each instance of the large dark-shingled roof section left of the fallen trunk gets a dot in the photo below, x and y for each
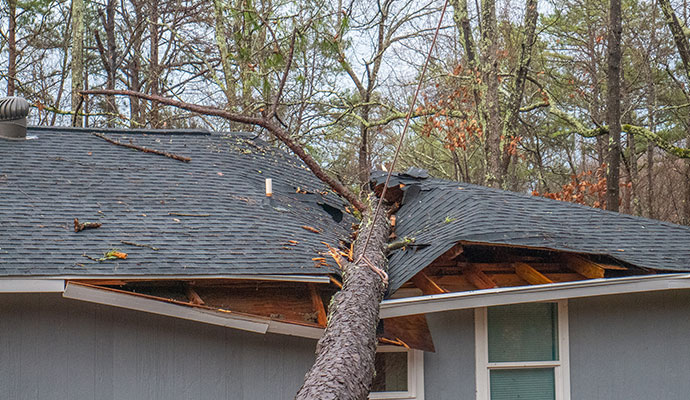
(207, 217)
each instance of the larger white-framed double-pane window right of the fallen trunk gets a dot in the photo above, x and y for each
(522, 352)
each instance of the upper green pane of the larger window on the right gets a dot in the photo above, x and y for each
(523, 332)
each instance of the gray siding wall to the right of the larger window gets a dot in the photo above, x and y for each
(631, 347)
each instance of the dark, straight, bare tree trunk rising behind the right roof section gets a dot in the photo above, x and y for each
(613, 106)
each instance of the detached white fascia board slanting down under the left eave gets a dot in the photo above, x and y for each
(133, 302)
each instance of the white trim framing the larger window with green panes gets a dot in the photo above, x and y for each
(561, 367)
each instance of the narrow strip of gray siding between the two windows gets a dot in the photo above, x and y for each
(449, 372)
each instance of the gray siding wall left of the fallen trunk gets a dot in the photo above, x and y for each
(54, 348)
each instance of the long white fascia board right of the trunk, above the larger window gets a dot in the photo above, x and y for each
(527, 294)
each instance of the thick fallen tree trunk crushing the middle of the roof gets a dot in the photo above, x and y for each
(344, 367)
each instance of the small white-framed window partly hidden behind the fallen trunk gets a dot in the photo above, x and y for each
(399, 374)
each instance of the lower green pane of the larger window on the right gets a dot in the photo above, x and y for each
(523, 384)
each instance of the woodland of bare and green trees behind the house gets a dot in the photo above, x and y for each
(519, 93)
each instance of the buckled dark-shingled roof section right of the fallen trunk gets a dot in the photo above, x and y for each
(439, 213)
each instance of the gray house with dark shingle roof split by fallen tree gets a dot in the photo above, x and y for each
(188, 264)
